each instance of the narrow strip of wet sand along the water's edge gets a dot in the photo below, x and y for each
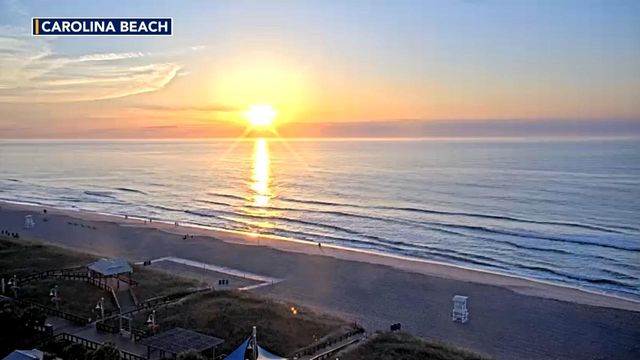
(518, 284)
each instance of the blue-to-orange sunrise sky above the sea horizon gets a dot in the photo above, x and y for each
(330, 68)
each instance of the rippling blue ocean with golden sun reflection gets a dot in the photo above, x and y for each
(565, 211)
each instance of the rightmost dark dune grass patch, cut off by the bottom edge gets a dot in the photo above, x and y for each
(400, 345)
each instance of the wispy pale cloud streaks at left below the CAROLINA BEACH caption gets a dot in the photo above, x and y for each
(31, 71)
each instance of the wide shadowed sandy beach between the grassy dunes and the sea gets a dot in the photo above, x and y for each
(511, 318)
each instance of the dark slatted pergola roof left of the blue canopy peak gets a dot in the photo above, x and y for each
(178, 340)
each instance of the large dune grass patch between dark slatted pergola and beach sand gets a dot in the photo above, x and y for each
(230, 315)
